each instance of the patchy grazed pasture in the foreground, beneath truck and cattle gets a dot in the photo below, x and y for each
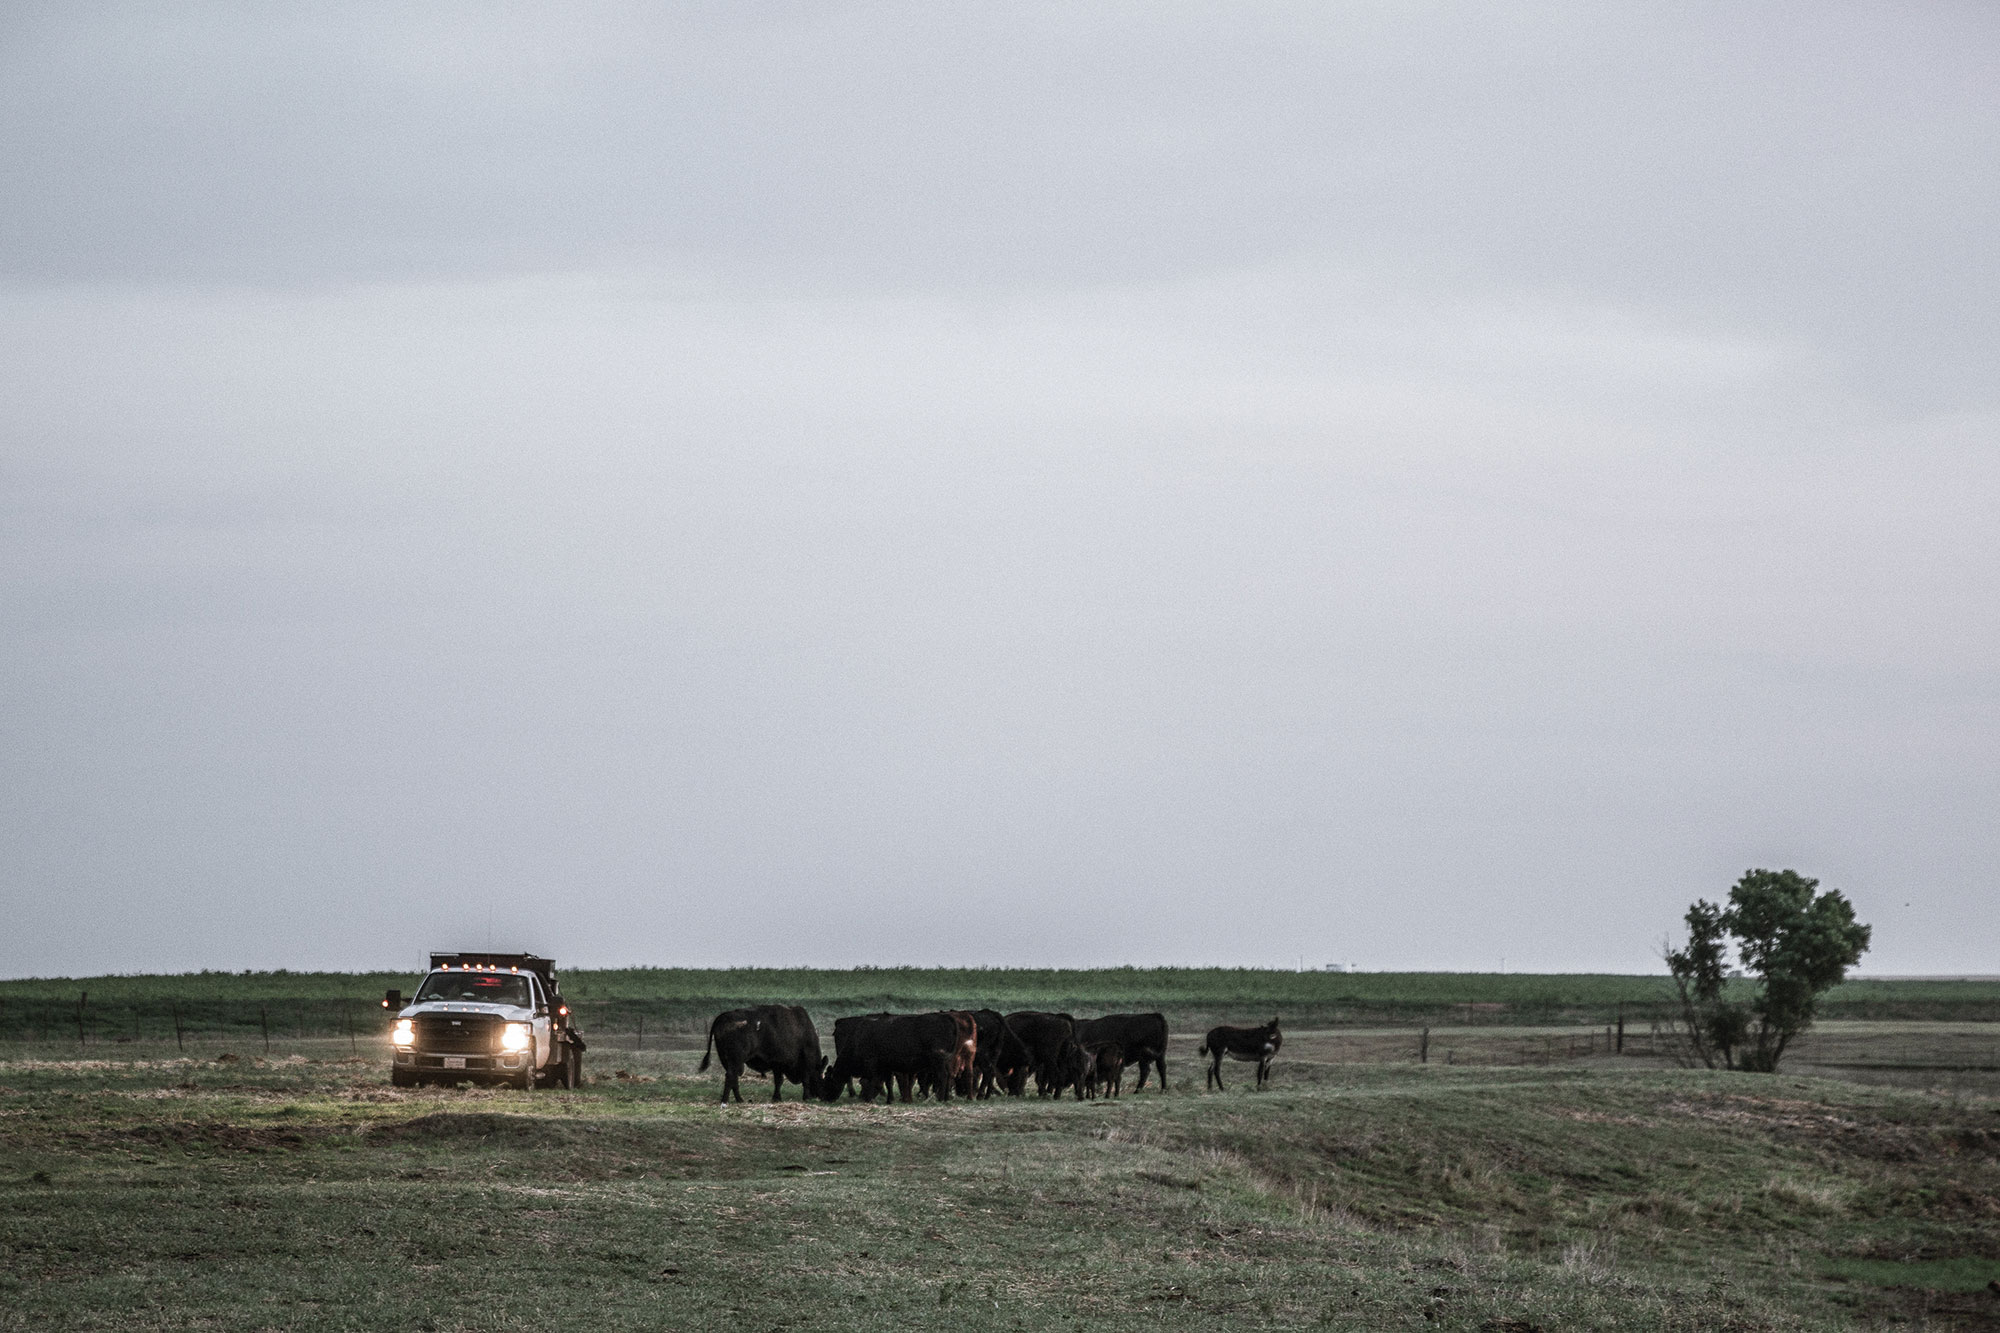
(1365, 1192)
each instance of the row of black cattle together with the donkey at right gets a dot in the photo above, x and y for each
(965, 1052)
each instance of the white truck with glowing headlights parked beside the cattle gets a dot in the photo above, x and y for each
(489, 1018)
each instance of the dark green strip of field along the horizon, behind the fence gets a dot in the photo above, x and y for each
(683, 1000)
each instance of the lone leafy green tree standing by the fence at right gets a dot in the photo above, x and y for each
(1793, 942)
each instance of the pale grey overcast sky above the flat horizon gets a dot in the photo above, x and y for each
(1411, 485)
